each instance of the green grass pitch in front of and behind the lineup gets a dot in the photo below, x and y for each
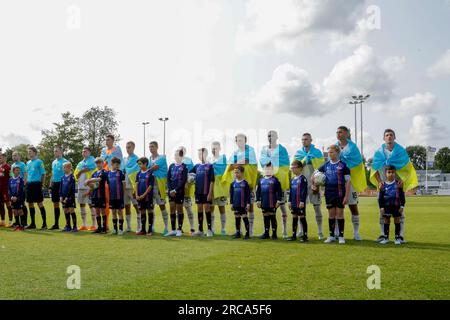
(34, 263)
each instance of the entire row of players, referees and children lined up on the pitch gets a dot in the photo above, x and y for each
(112, 182)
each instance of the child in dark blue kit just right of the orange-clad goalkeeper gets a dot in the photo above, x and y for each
(116, 183)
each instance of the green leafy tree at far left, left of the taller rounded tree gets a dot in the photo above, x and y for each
(67, 135)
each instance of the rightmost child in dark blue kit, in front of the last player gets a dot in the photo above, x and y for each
(391, 200)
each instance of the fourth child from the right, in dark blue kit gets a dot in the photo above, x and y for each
(268, 197)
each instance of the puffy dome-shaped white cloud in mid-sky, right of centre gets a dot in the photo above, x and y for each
(289, 91)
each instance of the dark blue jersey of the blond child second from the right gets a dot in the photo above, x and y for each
(337, 175)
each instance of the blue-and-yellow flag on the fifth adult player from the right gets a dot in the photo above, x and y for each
(247, 158)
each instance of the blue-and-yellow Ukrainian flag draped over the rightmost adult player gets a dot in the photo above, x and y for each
(400, 160)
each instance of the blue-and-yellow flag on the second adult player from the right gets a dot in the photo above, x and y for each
(351, 156)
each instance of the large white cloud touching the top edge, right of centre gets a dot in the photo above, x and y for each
(280, 23)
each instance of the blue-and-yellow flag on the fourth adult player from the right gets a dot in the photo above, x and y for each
(279, 158)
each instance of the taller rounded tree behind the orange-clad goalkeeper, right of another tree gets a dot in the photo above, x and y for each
(95, 124)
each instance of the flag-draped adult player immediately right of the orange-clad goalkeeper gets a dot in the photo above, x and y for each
(131, 169)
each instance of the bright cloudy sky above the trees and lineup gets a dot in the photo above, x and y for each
(218, 67)
